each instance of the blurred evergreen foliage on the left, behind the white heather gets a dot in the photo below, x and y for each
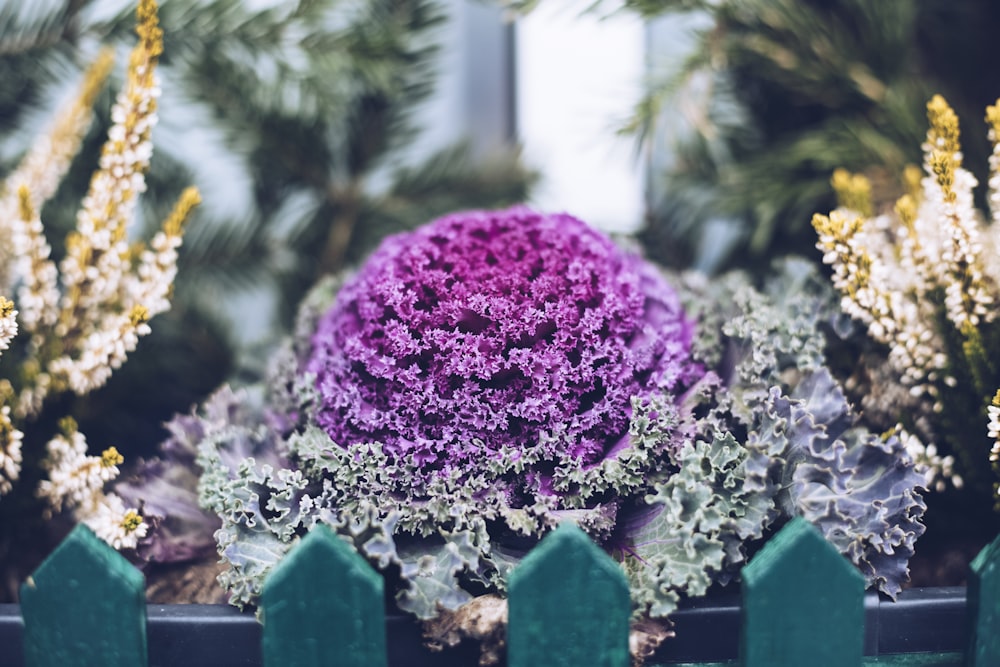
(293, 118)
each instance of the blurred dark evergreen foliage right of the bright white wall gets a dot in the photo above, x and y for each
(746, 128)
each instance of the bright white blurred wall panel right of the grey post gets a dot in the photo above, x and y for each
(578, 77)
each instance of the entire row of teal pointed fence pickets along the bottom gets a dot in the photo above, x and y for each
(803, 604)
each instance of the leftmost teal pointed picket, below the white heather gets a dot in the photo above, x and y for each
(84, 605)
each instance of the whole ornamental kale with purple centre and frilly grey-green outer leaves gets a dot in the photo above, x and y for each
(492, 374)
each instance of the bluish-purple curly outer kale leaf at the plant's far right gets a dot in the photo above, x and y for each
(860, 490)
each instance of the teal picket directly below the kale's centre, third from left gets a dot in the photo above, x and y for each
(568, 605)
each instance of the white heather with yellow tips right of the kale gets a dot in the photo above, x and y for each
(924, 280)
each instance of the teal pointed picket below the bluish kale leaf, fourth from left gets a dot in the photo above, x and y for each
(803, 603)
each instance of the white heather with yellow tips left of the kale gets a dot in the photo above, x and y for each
(78, 319)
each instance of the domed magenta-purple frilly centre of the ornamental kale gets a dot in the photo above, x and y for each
(486, 330)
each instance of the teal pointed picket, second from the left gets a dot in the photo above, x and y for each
(323, 605)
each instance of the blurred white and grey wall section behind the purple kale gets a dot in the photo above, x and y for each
(560, 81)
